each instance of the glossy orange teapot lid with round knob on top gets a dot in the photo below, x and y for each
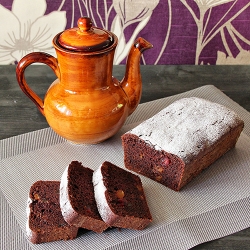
(85, 37)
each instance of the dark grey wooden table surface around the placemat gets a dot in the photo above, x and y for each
(19, 115)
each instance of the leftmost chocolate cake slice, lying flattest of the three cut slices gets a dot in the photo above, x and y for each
(45, 222)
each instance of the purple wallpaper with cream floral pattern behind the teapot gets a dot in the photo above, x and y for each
(182, 31)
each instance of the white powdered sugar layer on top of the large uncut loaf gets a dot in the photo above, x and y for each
(187, 126)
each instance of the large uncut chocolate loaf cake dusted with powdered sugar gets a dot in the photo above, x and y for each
(180, 141)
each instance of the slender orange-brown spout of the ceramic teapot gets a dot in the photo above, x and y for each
(132, 83)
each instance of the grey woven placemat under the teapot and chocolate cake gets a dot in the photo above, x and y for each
(213, 205)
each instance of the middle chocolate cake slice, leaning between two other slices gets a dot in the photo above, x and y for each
(77, 199)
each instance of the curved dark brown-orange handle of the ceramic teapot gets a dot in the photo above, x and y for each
(34, 57)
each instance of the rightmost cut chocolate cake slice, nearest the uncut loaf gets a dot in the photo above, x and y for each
(120, 197)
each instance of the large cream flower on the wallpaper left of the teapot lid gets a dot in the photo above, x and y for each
(24, 31)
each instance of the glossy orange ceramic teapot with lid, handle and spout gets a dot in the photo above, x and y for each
(85, 104)
